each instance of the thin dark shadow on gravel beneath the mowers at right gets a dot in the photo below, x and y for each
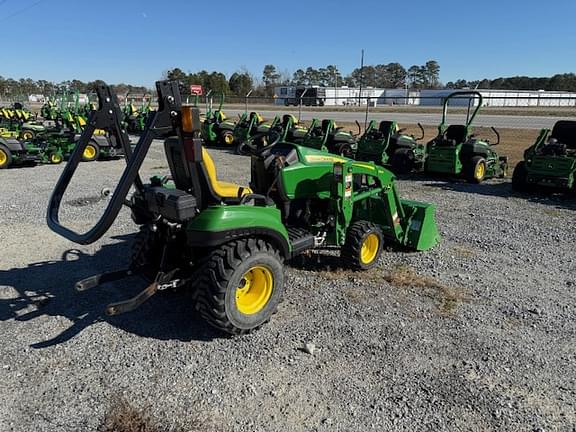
(504, 190)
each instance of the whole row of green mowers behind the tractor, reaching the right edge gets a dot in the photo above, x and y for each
(549, 164)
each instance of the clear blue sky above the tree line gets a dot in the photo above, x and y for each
(135, 41)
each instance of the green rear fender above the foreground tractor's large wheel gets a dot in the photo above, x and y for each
(220, 224)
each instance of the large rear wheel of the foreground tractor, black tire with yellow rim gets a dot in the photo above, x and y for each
(240, 285)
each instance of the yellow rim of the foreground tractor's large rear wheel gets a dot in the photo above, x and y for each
(255, 290)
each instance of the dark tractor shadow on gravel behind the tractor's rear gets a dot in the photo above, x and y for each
(47, 288)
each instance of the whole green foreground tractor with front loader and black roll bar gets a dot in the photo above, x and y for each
(227, 243)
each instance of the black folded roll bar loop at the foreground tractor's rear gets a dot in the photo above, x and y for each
(108, 116)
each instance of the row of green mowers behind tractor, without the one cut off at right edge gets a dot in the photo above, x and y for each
(454, 151)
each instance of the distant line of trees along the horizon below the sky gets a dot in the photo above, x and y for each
(390, 75)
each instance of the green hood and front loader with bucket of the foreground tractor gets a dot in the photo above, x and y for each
(315, 176)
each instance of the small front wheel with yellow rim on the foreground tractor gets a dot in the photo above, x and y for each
(363, 246)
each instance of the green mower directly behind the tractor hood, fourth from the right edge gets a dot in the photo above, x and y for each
(325, 135)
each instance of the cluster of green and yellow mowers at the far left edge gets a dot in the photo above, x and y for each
(50, 138)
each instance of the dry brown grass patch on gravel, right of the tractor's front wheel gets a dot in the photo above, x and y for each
(447, 298)
